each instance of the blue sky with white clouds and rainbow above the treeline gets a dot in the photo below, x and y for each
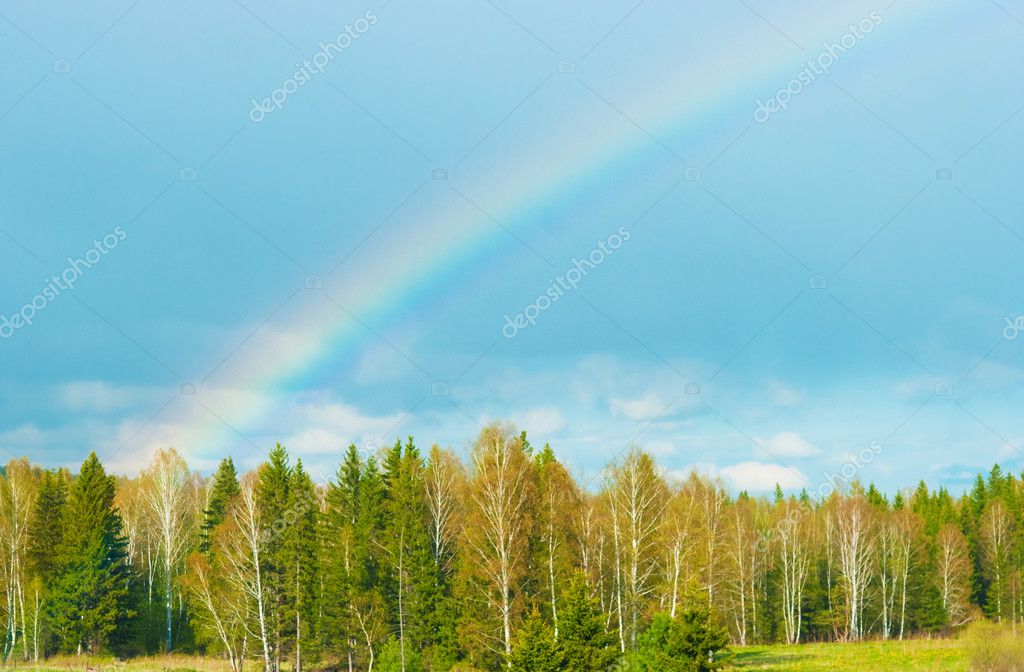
(774, 242)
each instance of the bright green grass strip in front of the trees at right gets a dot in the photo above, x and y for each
(917, 656)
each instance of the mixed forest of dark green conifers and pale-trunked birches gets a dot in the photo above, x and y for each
(413, 560)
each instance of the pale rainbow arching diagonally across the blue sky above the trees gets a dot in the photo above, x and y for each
(566, 158)
